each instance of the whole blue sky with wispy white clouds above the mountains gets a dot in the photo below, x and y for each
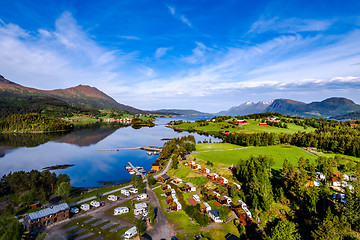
(204, 55)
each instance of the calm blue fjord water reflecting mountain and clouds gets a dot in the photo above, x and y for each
(81, 148)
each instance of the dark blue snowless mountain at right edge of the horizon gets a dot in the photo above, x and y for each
(326, 108)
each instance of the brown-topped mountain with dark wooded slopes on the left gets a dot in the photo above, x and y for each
(15, 98)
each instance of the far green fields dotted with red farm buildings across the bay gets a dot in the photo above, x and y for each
(252, 127)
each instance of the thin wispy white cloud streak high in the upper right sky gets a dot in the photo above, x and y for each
(291, 25)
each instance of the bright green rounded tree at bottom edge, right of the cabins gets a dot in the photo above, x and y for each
(284, 230)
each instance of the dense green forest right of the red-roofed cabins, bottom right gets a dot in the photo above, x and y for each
(313, 214)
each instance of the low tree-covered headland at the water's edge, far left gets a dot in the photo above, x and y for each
(33, 123)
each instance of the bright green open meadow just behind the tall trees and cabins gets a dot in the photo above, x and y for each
(278, 152)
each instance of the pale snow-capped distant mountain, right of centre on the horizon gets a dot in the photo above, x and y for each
(246, 109)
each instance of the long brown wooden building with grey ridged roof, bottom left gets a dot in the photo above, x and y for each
(46, 217)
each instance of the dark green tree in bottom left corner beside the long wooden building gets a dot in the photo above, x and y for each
(10, 228)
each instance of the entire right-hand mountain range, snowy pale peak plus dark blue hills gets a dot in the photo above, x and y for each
(334, 107)
